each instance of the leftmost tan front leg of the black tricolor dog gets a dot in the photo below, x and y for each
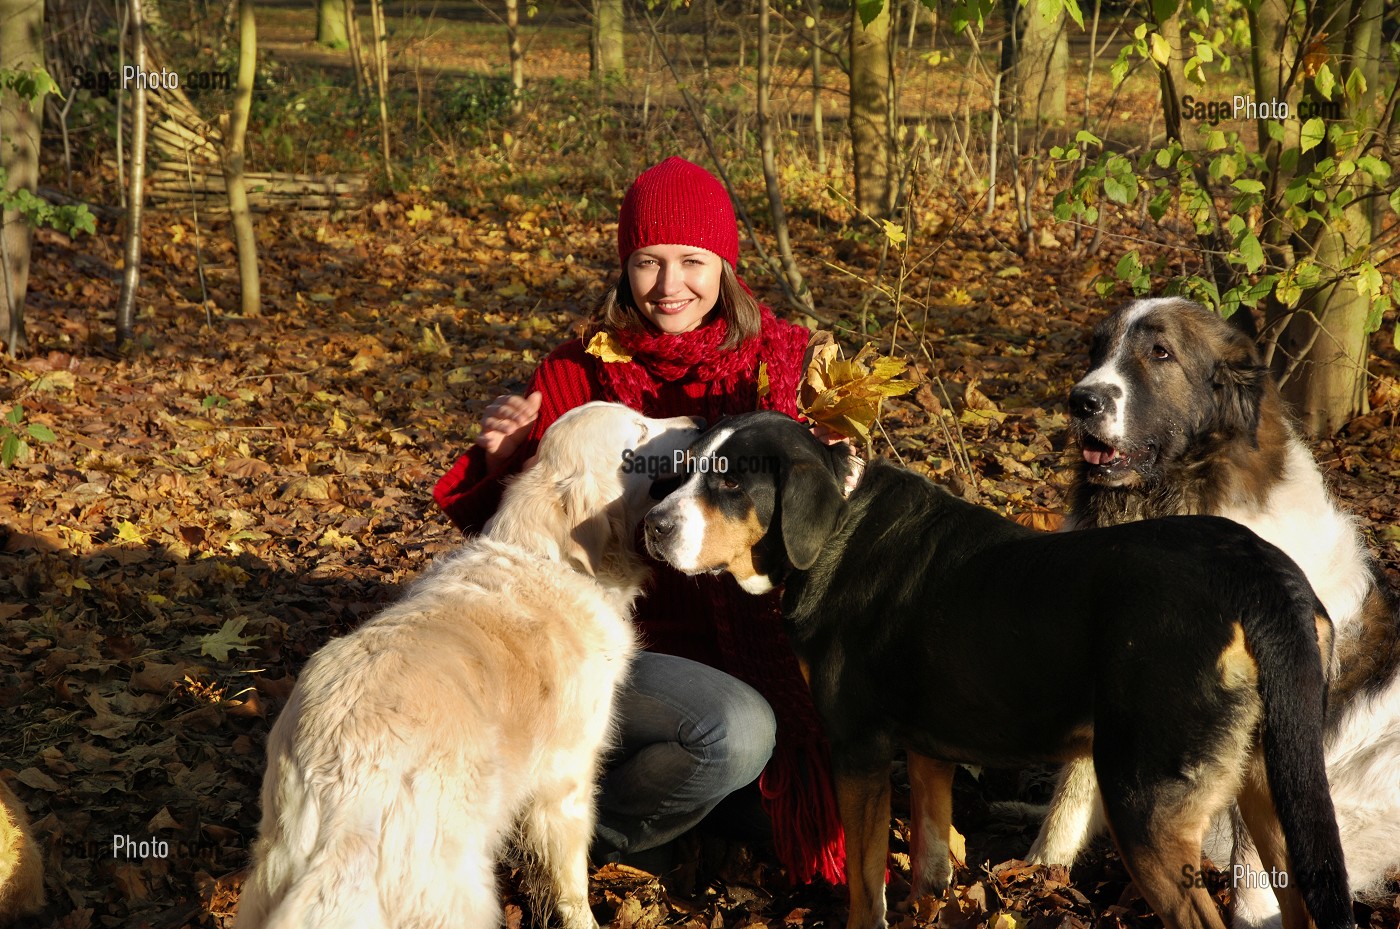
(864, 805)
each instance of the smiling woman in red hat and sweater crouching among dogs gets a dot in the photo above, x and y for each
(717, 697)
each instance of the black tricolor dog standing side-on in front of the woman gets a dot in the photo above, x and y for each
(1188, 655)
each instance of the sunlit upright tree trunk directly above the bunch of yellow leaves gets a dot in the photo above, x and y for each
(871, 134)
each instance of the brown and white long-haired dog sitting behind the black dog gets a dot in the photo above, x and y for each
(1178, 416)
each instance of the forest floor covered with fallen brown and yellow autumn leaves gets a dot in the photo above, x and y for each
(222, 502)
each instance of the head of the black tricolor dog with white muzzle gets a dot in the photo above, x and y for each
(758, 496)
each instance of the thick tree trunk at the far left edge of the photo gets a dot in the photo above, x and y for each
(22, 48)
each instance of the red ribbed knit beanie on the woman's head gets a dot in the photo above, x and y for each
(678, 204)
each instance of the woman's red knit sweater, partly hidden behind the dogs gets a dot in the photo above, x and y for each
(706, 619)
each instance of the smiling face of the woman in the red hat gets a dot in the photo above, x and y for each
(675, 286)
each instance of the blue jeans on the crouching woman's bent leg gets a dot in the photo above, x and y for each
(689, 737)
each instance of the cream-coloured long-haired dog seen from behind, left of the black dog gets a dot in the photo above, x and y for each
(477, 709)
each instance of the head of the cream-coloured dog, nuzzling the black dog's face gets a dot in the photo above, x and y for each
(590, 488)
